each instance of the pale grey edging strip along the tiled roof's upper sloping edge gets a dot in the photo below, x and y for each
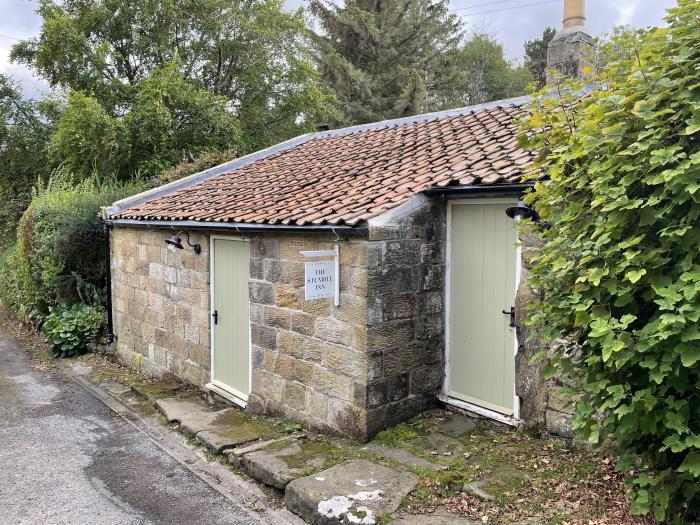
(227, 167)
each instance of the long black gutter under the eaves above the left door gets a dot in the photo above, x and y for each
(241, 227)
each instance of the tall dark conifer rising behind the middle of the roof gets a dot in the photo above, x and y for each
(387, 59)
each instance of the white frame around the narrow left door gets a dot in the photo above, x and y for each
(226, 391)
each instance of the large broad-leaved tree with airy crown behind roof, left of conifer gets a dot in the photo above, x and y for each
(250, 52)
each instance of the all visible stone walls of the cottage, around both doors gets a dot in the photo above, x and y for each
(372, 362)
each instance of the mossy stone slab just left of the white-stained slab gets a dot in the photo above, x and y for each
(277, 465)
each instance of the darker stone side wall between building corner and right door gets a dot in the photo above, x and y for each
(405, 330)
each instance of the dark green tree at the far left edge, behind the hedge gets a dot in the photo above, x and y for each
(25, 129)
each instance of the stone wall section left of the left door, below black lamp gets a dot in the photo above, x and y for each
(161, 304)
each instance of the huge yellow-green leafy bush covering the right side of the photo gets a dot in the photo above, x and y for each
(619, 271)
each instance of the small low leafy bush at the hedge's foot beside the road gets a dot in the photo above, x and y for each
(70, 330)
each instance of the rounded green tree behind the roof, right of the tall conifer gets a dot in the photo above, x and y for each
(485, 74)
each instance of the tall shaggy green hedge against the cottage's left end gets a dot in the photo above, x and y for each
(59, 256)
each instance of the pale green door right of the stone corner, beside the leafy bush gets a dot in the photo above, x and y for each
(482, 285)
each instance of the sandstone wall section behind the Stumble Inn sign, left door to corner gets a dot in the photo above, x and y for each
(310, 360)
